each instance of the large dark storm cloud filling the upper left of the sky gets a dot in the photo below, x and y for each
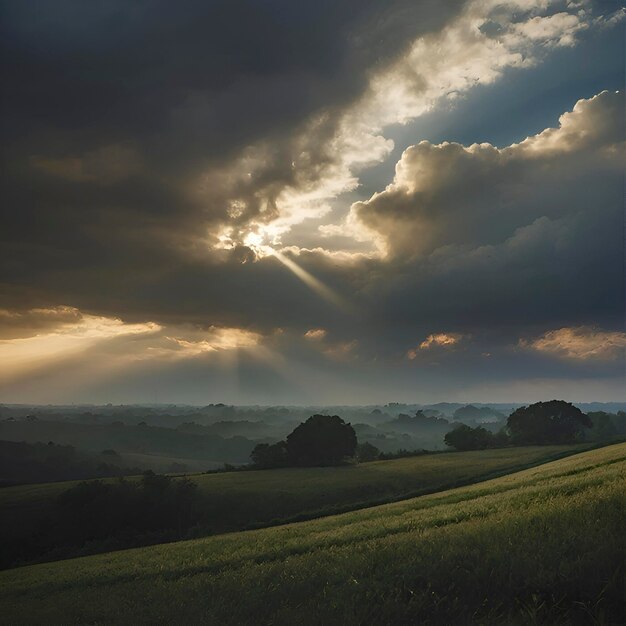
(109, 109)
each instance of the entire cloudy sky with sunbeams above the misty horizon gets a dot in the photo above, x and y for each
(284, 202)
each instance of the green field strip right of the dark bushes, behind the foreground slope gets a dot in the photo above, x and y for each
(306, 492)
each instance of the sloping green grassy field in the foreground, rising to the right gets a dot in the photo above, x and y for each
(542, 546)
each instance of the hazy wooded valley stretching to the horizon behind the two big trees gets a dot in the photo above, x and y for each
(52, 443)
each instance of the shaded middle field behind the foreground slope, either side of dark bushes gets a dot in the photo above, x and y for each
(243, 500)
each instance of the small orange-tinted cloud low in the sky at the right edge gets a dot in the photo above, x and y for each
(580, 344)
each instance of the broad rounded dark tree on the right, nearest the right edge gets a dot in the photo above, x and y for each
(547, 422)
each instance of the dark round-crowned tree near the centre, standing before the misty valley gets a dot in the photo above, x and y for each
(321, 440)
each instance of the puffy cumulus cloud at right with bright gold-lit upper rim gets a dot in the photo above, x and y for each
(453, 195)
